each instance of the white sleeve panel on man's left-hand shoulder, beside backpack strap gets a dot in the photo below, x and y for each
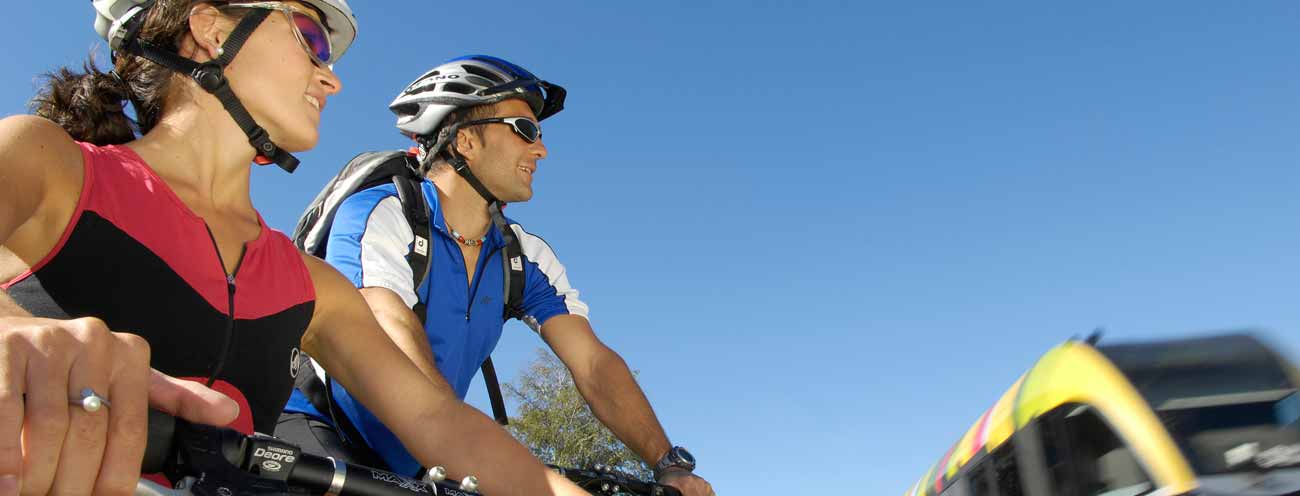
(384, 249)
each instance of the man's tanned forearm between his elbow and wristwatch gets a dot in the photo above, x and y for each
(618, 402)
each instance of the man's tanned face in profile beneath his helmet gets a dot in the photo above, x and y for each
(506, 162)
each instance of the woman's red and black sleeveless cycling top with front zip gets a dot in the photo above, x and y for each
(138, 259)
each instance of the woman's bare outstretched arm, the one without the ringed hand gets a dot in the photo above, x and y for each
(430, 420)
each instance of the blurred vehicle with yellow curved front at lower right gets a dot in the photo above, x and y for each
(1206, 416)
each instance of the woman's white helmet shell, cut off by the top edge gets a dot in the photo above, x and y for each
(111, 18)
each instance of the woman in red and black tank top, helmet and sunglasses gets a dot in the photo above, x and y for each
(120, 254)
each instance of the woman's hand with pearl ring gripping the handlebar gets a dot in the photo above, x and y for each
(49, 442)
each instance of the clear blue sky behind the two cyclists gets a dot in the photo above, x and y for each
(830, 234)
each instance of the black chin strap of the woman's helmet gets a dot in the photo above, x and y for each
(211, 77)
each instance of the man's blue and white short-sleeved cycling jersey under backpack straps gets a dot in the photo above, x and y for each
(369, 243)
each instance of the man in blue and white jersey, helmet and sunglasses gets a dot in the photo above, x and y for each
(476, 123)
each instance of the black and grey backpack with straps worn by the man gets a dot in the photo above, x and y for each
(401, 169)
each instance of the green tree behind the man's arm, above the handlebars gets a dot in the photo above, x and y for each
(554, 421)
